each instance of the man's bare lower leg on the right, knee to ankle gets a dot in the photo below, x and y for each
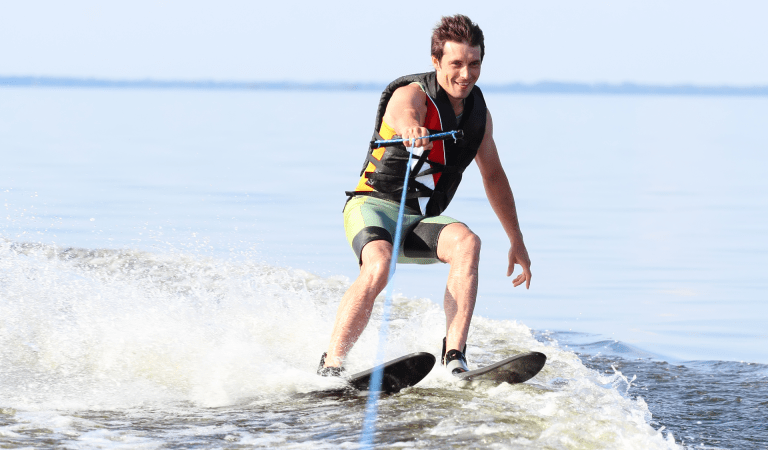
(459, 247)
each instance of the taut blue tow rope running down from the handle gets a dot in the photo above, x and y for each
(371, 407)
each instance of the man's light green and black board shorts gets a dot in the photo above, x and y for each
(368, 219)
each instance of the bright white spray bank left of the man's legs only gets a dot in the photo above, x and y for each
(115, 328)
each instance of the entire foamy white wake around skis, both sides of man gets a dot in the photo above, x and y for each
(128, 349)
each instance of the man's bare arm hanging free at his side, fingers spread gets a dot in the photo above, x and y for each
(503, 203)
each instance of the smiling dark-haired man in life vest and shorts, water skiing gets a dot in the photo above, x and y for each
(446, 99)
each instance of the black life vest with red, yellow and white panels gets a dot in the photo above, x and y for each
(435, 173)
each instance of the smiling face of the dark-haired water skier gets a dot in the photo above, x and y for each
(459, 68)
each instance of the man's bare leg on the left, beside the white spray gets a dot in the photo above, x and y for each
(356, 305)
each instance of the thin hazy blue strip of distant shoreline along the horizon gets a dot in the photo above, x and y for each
(543, 87)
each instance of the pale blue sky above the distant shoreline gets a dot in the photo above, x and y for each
(650, 42)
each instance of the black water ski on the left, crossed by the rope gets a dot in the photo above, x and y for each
(398, 374)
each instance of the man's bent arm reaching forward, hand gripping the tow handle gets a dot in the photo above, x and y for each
(406, 113)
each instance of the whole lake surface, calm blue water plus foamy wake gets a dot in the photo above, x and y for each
(171, 262)
